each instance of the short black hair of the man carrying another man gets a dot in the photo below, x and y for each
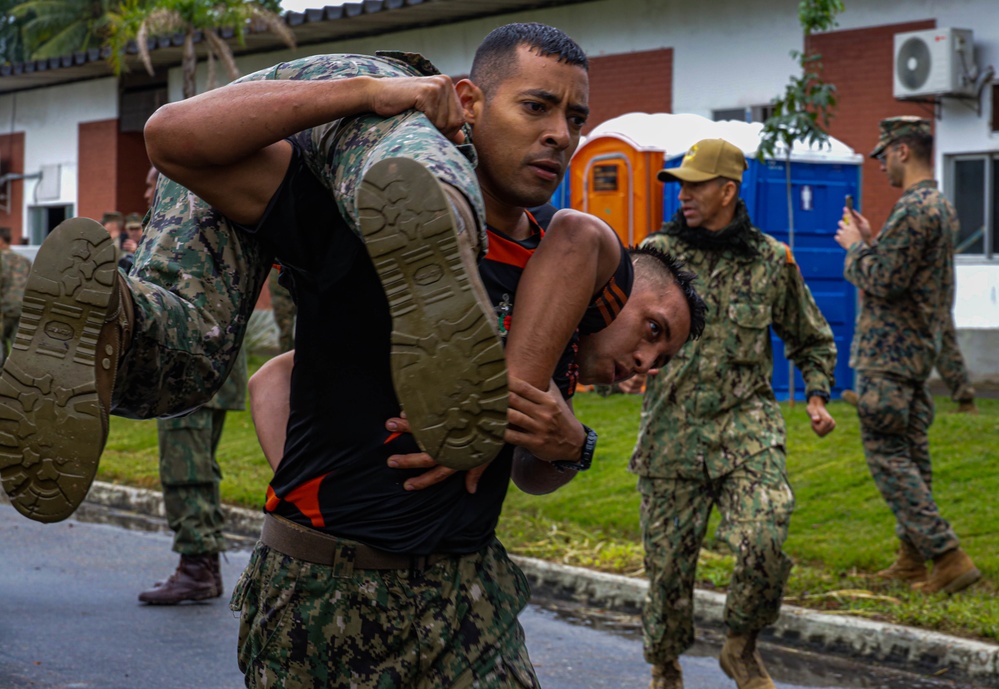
(494, 57)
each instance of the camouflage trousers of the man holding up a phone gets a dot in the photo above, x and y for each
(895, 417)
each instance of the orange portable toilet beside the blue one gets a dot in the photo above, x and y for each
(614, 179)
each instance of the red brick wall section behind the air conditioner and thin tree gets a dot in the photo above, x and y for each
(860, 62)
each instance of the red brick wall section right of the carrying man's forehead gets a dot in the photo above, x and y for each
(630, 82)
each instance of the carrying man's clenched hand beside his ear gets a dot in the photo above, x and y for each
(434, 96)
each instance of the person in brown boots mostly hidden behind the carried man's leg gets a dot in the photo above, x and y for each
(190, 475)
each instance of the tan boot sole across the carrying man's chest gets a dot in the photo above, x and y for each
(447, 361)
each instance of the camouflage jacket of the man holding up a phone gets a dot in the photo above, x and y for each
(907, 276)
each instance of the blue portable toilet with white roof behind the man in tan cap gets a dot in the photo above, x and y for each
(821, 178)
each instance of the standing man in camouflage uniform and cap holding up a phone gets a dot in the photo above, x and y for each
(907, 276)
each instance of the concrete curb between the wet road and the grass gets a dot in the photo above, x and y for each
(854, 637)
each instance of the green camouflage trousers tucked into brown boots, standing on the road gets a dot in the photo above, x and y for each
(190, 477)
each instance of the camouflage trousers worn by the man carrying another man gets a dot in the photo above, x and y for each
(305, 625)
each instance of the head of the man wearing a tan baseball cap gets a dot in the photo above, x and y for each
(710, 176)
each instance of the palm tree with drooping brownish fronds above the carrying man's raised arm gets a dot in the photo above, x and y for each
(139, 21)
